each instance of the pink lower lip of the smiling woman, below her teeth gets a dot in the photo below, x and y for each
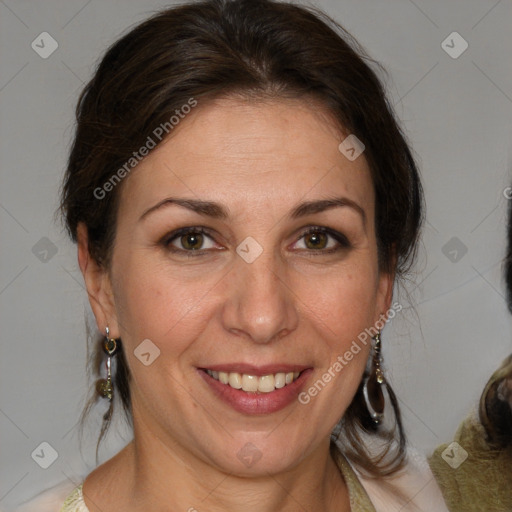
(257, 403)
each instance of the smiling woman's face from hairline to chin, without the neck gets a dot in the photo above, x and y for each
(245, 251)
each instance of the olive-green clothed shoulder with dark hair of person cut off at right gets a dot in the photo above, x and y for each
(474, 471)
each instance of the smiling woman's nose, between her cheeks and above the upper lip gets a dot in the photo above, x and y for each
(260, 304)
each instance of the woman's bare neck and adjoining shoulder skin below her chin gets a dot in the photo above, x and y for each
(157, 473)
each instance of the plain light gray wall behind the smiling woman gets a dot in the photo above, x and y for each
(457, 114)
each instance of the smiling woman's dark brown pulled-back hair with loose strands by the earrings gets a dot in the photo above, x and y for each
(252, 48)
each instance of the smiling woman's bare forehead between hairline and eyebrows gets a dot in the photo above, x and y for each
(248, 152)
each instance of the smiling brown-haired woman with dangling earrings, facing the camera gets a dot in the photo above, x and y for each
(243, 201)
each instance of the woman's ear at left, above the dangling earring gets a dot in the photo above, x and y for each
(98, 285)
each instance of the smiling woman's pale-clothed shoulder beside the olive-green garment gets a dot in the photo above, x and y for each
(412, 489)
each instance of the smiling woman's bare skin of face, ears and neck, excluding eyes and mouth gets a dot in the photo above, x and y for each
(294, 304)
